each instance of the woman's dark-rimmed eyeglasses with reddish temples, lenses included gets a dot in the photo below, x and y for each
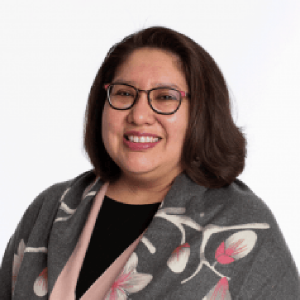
(162, 100)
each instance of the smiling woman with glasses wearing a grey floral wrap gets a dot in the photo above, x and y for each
(174, 222)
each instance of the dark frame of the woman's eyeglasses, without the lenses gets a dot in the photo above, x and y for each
(108, 87)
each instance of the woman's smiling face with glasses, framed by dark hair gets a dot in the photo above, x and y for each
(142, 141)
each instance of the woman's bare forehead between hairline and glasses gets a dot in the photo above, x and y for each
(151, 65)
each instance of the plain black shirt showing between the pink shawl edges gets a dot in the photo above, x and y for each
(117, 226)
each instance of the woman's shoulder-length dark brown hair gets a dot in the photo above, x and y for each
(214, 149)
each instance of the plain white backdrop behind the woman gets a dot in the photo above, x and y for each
(50, 52)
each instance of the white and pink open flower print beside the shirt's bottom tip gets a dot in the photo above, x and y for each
(129, 281)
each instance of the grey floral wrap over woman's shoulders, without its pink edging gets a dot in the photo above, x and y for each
(209, 244)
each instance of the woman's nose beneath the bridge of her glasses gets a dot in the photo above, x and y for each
(141, 112)
